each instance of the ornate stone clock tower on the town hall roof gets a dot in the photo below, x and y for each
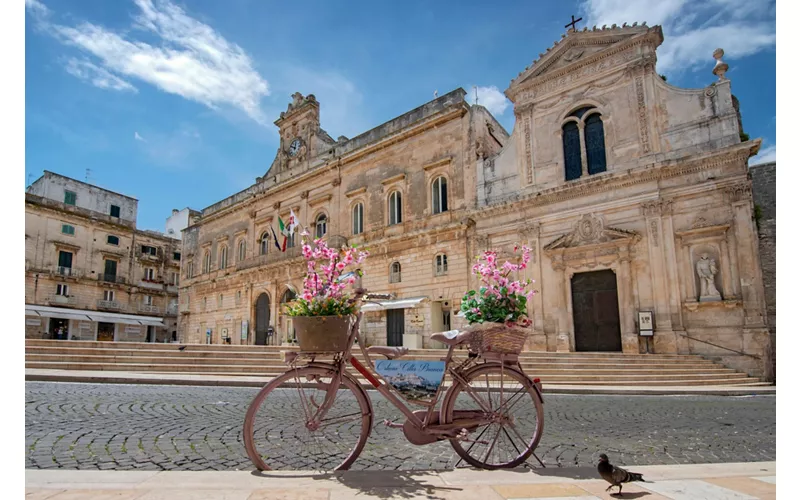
(301, 138)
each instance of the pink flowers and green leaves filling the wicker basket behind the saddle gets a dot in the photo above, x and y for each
(500, 299)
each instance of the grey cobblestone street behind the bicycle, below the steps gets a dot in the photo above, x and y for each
(130, 427)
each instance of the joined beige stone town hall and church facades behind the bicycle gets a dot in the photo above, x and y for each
(633, 194)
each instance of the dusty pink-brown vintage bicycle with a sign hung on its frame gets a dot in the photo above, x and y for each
(337, 412)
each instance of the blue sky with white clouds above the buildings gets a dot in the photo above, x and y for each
(173, 103)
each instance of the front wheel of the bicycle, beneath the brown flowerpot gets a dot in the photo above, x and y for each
(279, 434)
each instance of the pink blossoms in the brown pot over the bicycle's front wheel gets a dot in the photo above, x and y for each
(324, 290)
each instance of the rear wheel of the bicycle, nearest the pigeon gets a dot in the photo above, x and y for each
(508, 399)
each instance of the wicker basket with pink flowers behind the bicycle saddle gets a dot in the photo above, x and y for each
(497, 312)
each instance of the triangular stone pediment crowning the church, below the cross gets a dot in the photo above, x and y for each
(577, 47)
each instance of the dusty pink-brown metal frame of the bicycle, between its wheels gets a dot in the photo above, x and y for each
(428, 424)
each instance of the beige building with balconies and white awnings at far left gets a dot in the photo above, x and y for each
(89, 272)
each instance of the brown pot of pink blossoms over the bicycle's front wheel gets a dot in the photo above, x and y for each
(324, 311)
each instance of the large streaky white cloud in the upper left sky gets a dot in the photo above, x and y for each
(188, 58)
